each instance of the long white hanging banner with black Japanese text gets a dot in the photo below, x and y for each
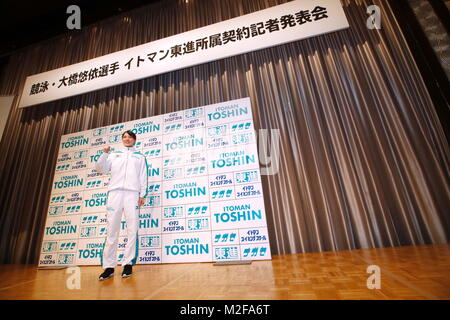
(277, 25)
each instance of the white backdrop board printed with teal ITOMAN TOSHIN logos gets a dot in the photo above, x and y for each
(205, 198)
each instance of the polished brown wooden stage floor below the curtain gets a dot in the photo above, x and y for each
(419, 272)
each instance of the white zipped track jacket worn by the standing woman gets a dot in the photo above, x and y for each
(128, 170)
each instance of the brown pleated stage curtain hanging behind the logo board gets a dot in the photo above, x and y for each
(363, 159)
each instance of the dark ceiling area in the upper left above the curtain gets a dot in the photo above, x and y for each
(23, 23)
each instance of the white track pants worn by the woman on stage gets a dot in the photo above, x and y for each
(127, 202)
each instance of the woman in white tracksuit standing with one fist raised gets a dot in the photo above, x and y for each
(126, 192)
